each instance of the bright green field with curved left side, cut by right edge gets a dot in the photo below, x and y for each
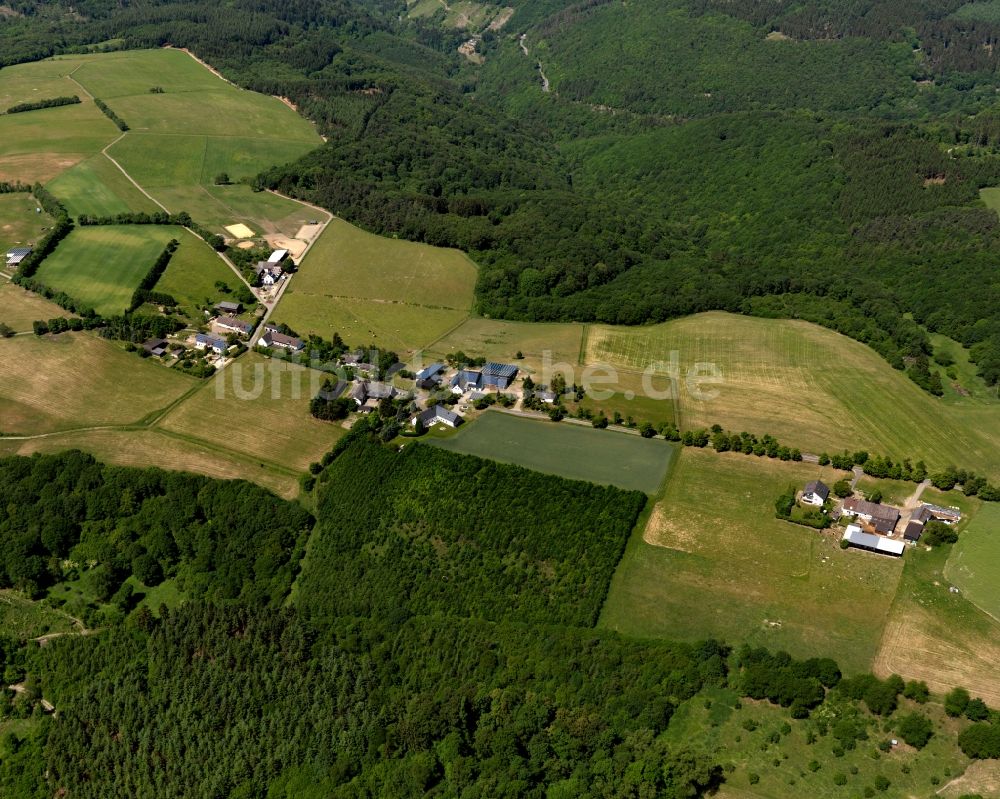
(974, 565)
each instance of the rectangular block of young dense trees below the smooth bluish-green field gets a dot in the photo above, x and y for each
(427, 531)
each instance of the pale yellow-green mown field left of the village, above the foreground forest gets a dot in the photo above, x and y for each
(258, 408)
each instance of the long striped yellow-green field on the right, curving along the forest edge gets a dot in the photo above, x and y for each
(808, 386)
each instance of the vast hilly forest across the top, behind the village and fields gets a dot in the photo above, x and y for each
(817, 160)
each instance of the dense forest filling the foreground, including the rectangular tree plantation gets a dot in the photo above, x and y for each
(477, 673)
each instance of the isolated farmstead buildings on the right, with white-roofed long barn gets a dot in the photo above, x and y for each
(877, 527)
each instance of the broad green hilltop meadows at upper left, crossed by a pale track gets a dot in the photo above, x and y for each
(179, 140)
